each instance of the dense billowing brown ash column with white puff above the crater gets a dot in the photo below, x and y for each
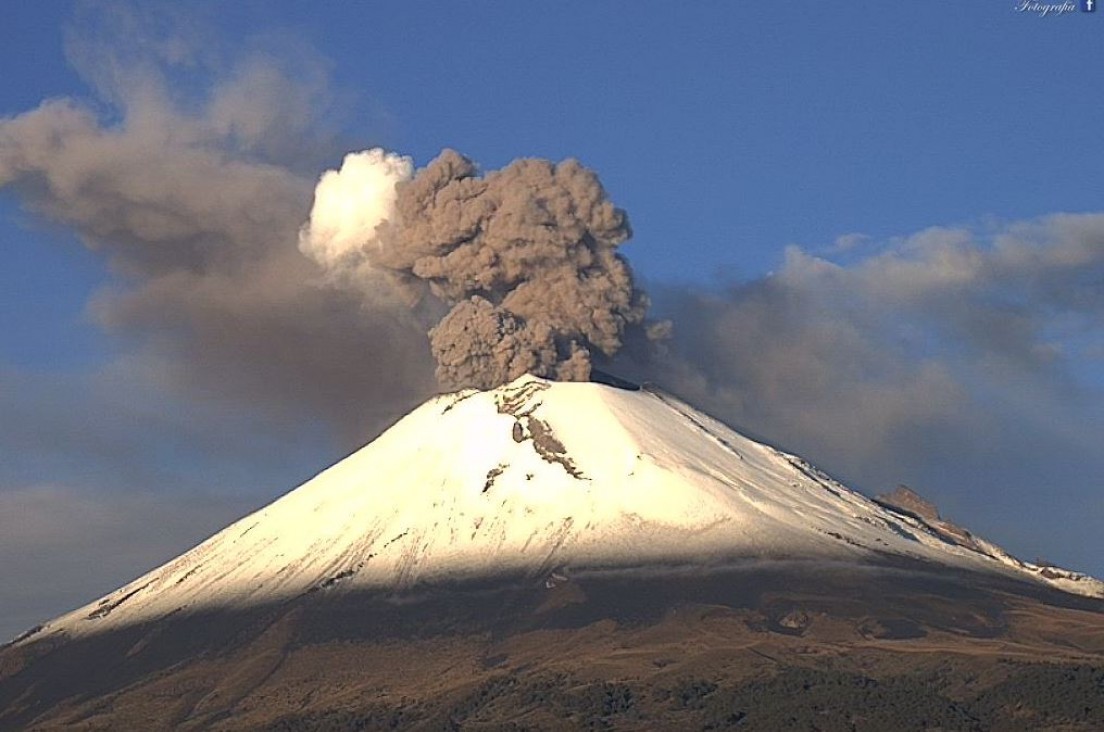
(525, 259)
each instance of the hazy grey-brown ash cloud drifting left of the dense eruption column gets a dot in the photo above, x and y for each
(194, 195)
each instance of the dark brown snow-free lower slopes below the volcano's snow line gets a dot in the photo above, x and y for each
(765, 646)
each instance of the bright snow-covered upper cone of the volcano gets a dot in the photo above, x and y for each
(538, 478)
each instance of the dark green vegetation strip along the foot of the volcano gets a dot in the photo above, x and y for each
(1034, 697)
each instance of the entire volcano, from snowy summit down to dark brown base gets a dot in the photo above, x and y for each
(572, 556)
